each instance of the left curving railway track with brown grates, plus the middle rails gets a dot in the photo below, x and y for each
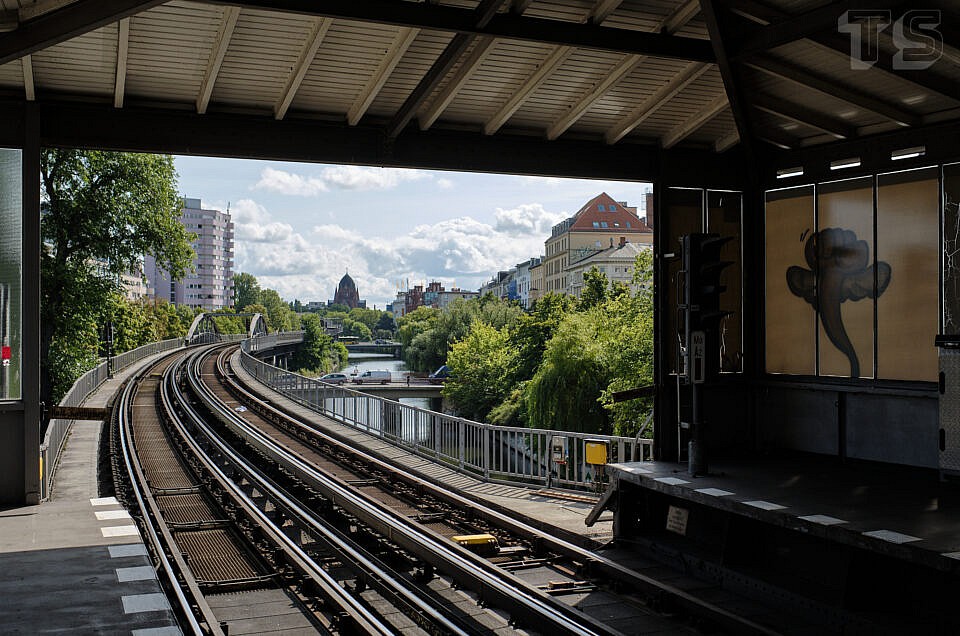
(274, 525)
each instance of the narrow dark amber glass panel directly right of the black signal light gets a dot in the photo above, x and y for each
(724, 213)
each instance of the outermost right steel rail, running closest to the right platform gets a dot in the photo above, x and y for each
(597, 563)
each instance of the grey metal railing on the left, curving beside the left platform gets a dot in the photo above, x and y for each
(89, 382)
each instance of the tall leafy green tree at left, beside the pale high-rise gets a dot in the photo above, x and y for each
(102, 212)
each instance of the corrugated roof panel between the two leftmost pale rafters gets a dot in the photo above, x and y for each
(85, 65)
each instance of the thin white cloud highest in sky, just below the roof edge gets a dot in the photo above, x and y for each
(338, 178)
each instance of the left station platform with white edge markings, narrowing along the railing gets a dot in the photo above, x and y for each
(76, 563)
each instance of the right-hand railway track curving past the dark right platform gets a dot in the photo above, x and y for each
(624, 599)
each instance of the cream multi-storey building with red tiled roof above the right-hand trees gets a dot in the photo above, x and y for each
(599, 224)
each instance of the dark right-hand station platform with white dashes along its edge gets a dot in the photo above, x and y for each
(871, 548)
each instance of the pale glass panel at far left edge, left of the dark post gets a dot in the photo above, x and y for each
(11, 273)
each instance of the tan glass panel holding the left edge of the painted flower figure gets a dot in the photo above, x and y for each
(790, 320)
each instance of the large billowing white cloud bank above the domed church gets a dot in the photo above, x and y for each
(461, 251)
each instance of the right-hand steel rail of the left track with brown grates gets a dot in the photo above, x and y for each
(363, 619)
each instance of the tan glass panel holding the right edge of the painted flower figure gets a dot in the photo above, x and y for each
(908, 241)
